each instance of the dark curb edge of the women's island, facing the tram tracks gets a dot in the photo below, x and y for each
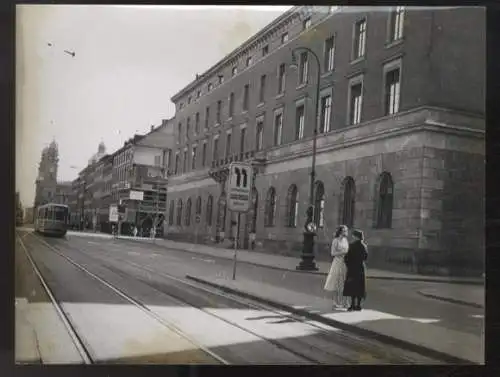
(429, 352)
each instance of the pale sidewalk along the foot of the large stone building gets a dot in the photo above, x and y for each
(285, 263)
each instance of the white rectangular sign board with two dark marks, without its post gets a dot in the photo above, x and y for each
(240, 187)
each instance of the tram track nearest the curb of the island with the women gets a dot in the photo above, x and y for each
(377, 351)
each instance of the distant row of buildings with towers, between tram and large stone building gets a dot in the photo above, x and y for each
(133, 178)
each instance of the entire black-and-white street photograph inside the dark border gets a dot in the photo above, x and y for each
(313, 192)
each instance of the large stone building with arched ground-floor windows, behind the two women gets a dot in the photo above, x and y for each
(400, 146)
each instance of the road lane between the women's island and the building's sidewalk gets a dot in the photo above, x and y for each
(396, 297)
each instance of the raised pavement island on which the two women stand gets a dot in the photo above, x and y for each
(412, 334)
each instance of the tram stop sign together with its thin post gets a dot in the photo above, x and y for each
(240, 176)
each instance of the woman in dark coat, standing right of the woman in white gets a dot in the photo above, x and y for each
(355, 284)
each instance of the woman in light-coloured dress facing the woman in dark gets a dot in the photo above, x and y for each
(338, 269)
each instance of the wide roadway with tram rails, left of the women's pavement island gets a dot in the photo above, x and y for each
(237, 331)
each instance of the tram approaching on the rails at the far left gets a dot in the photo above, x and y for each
(52, 219)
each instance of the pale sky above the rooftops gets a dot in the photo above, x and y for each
(129, 61)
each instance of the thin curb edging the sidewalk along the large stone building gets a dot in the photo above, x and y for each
(422, 280)
